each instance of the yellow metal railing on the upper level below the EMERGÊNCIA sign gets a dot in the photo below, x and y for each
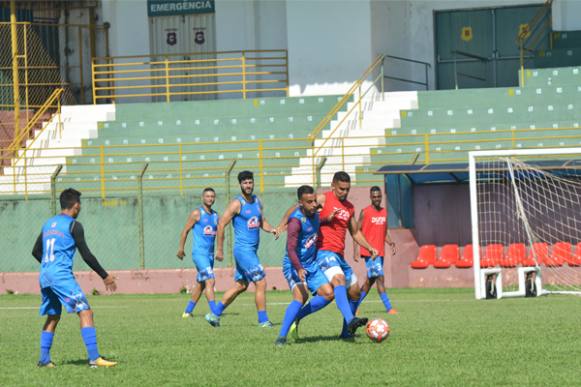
(185, 76)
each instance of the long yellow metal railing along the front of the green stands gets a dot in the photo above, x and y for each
(105, 170)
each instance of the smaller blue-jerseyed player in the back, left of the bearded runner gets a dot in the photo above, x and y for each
(204, 223)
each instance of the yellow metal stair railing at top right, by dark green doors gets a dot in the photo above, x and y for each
(536, 30)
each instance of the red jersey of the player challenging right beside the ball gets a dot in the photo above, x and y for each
(332, 235)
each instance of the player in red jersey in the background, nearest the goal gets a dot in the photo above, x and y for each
(373, 225)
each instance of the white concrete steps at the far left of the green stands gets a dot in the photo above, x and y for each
(52, 146)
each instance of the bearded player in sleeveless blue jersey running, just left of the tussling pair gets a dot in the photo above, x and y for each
(247, 215)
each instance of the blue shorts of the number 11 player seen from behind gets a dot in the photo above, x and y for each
(65, 292)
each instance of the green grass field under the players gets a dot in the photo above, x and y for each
(440, 337)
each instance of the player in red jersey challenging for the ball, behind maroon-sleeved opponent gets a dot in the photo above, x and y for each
(337, 216)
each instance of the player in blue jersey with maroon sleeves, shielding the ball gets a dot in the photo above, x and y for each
(299, 265)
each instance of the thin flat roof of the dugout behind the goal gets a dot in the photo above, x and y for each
(458, 173)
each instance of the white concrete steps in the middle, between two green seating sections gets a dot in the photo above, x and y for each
(379, 112)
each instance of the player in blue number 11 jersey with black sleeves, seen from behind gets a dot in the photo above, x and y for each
(54, 249)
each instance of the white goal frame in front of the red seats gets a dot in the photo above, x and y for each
(479, 273)
